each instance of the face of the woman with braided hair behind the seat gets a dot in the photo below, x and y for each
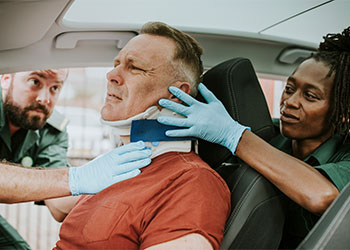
(306, 102)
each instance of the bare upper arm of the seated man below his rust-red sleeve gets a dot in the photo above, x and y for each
(188, 242)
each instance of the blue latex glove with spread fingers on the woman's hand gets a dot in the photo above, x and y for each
(209, 121)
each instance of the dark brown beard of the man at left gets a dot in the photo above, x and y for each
(20, 117)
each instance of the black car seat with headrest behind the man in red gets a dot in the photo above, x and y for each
(257, 212)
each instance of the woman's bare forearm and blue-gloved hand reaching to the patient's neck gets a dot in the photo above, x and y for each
(210, 121)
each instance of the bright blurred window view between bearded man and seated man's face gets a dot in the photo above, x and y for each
(80, 101)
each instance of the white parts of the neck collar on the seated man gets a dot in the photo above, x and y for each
(122, 128)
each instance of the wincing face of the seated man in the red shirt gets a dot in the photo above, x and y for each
(140, 77)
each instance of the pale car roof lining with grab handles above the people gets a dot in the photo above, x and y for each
(273, 34)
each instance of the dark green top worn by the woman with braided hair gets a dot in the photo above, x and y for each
(332, 159)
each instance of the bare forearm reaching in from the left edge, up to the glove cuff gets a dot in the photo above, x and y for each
(20, 184)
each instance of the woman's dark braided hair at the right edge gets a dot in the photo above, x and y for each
(334, 51)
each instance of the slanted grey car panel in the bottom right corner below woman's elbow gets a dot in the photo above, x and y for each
(332, 229)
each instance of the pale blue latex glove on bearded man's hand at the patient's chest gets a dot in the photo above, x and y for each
(116, 165)
